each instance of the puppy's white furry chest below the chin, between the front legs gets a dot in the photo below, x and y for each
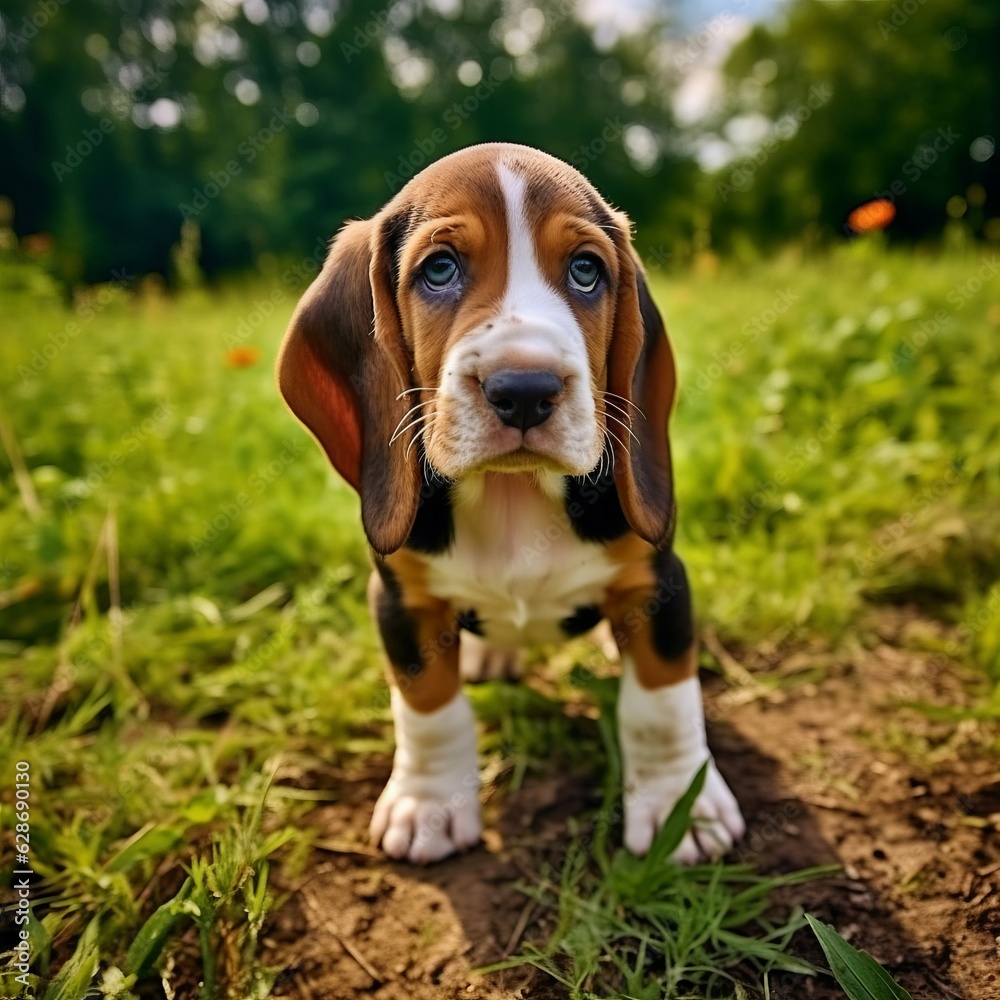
(516, 565)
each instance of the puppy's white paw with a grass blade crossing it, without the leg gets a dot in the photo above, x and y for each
(717, 821)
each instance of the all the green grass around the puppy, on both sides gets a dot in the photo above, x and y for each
(183, 629)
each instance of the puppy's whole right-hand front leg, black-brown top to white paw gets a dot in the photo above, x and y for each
(662, 720)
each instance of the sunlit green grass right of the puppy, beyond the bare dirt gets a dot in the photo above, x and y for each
(829, 435)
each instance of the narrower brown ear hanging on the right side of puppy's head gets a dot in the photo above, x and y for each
(641, 369)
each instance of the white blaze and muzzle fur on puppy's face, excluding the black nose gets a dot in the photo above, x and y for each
(533, 328)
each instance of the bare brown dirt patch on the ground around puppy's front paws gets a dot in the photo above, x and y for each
(829, 768)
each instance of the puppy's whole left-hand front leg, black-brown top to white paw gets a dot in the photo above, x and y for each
(430, 807)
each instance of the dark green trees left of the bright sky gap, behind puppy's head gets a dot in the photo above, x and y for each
(292, 119)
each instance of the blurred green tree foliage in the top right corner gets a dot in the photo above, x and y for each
(859, 101)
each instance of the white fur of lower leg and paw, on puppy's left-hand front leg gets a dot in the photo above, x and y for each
(430, 807)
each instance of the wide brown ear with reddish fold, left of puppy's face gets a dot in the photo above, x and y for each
(341, 369)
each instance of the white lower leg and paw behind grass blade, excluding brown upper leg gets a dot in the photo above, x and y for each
(663, 744)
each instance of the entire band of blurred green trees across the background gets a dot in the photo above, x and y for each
(268, 122)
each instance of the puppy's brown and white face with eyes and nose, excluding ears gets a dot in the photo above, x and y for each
(506, 292)
